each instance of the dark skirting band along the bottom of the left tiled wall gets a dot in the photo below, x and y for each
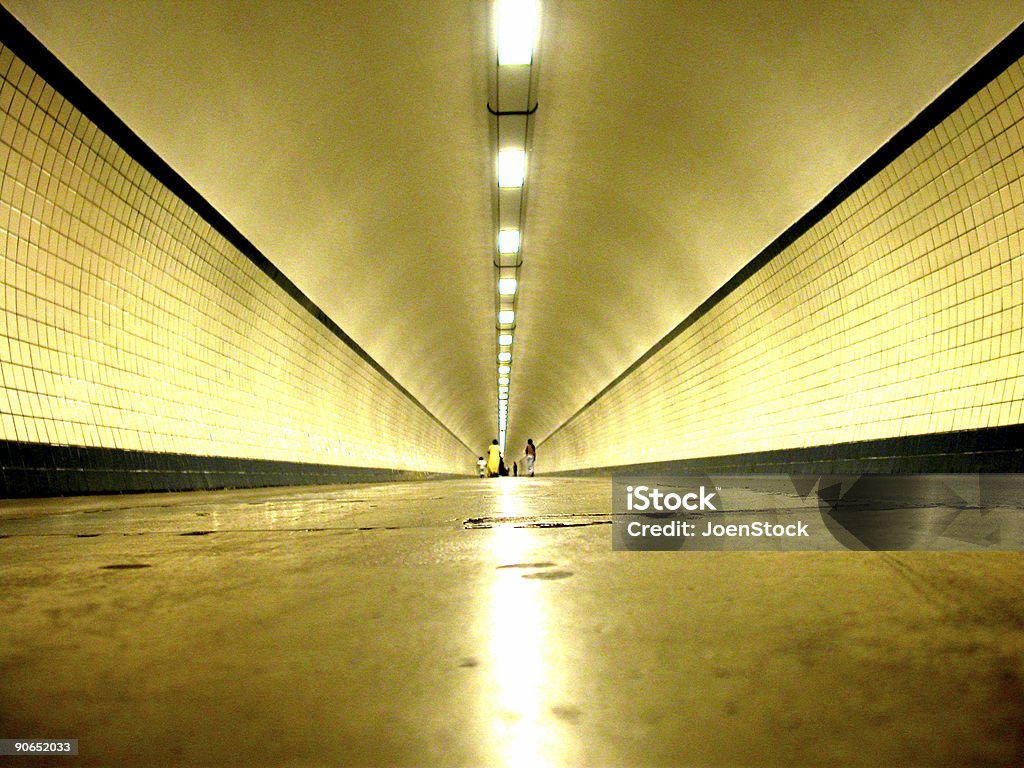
(35, 471)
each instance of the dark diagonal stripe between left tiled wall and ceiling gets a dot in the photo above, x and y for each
(35, 55)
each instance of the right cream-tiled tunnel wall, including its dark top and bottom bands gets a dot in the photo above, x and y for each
(882, 333)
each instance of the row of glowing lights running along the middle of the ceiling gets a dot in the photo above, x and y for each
(514, 88)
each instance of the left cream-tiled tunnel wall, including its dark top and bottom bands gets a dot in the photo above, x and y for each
(144, 349)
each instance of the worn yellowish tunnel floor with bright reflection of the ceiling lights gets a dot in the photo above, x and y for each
(369, 626)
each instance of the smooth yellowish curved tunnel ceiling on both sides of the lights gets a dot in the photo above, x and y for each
(351, 143)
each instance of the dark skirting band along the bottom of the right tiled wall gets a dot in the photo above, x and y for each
(991, 450)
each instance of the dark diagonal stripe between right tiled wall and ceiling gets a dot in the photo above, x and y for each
(986, 71)
